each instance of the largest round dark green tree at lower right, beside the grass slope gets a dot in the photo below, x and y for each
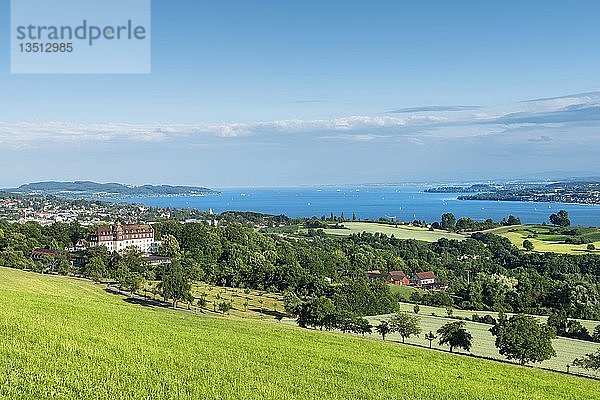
(523, 338)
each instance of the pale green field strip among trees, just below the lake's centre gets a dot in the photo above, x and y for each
(399, 232)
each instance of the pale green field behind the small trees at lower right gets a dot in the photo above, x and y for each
(483, 341)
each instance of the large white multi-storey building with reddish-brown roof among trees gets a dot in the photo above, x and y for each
(118, 238)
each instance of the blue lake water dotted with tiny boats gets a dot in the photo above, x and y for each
(403, 202)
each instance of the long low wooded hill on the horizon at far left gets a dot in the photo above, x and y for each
(87, 189)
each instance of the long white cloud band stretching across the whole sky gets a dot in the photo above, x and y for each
(559, 111)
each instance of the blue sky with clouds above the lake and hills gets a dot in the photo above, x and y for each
(287, 93)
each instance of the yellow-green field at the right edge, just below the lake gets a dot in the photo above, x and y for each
(545, 241)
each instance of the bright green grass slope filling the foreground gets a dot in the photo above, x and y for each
(68, 339)
